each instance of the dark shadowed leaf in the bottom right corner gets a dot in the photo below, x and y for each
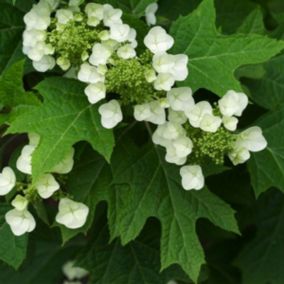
(261, 260)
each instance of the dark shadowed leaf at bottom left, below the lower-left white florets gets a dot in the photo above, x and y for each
(44, 261)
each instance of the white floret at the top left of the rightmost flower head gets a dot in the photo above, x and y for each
(180, 99)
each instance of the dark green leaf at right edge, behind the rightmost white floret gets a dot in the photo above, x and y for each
(267, 167)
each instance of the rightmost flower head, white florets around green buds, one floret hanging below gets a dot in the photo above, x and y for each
(197, 132)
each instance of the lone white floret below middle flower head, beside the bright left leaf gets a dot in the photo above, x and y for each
(111, 114)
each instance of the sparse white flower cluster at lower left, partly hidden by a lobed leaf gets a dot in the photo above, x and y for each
(71, 214)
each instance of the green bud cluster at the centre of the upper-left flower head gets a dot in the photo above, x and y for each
(73, 41)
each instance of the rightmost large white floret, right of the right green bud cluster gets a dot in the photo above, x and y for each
(252, 139)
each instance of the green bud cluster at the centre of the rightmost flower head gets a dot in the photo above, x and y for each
(211, 145)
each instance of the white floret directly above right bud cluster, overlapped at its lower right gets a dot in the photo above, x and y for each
(196, 114)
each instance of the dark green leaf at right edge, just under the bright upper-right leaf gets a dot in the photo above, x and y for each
(268, 91)
